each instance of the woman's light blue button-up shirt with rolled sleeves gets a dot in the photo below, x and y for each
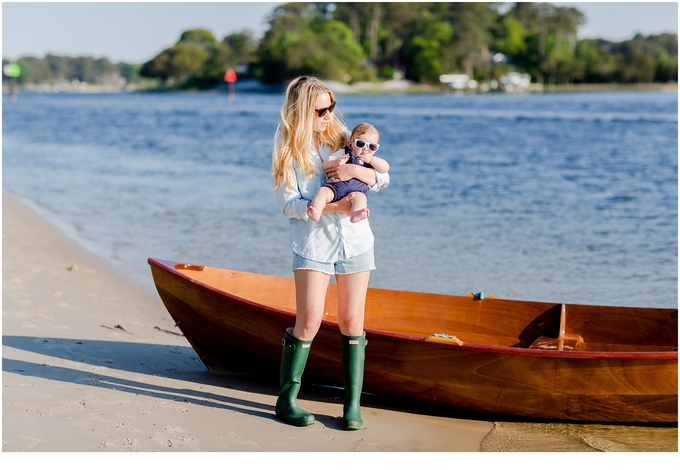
(333, 237)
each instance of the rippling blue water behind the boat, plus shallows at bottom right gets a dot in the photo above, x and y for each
(553, 197)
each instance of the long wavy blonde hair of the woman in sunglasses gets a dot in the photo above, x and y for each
(294, 133)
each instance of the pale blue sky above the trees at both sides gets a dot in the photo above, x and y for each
(135, 32)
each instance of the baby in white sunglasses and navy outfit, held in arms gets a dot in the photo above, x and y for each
(360, 150)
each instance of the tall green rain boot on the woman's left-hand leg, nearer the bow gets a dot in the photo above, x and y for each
(293, 360)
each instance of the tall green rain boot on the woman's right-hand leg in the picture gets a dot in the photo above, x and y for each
(353, 354)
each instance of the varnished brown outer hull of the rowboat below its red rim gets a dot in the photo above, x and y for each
(232, 333)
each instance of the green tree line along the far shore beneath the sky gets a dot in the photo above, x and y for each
(350, 42)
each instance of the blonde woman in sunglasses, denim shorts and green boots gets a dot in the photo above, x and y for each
(307, 134)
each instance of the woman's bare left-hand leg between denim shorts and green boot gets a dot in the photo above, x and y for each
(310, 298)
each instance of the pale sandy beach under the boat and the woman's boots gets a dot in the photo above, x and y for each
(93, 362)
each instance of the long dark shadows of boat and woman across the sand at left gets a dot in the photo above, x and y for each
(182, 363)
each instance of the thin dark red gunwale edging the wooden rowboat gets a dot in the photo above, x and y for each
(169, 266)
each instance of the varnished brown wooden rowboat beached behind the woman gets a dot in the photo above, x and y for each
(543, 360)
